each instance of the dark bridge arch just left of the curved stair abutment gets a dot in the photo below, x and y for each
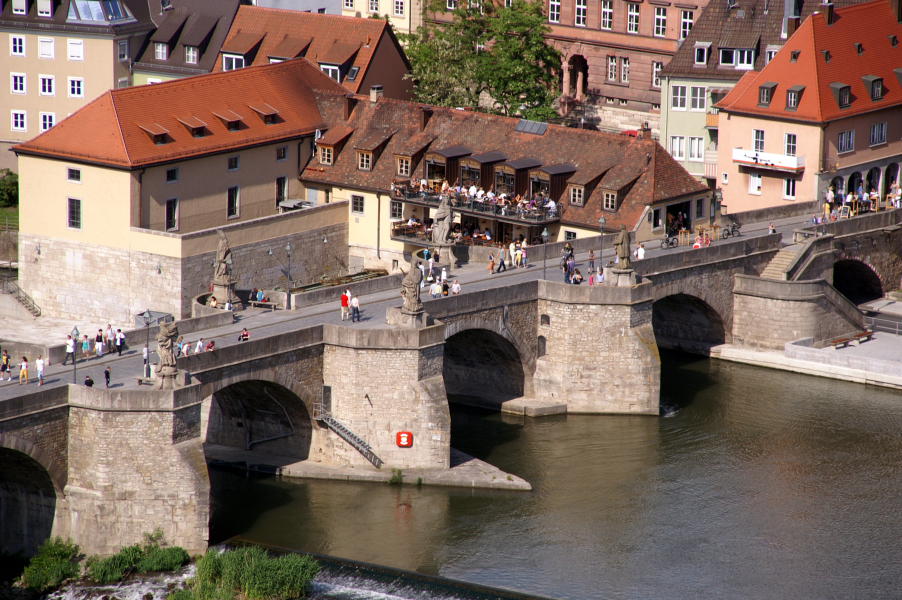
(686, 322)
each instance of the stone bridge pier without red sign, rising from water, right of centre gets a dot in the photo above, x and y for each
(597, 349)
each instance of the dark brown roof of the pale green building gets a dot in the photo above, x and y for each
(754, 24)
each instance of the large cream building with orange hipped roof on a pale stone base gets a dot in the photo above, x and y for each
(132, 188)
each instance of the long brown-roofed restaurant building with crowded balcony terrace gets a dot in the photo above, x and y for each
(376, 146)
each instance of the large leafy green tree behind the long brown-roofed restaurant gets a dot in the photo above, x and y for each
(497, 50)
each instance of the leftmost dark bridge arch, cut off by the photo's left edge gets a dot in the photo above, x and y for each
(28, 496)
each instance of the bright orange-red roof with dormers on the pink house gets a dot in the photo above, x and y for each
(821, 58)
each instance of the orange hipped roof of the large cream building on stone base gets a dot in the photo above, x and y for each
(118, 128)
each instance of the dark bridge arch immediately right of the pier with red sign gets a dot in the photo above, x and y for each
(482, 364)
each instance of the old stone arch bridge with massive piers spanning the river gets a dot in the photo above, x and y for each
(103, 466)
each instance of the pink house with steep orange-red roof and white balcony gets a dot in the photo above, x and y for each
(823, 113)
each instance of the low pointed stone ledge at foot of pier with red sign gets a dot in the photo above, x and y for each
(466, 471)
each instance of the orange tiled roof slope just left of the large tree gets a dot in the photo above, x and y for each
(327, 39)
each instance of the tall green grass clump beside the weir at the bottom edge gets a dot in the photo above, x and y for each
(250, 574)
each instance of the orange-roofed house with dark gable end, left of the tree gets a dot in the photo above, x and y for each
(356, 52)
